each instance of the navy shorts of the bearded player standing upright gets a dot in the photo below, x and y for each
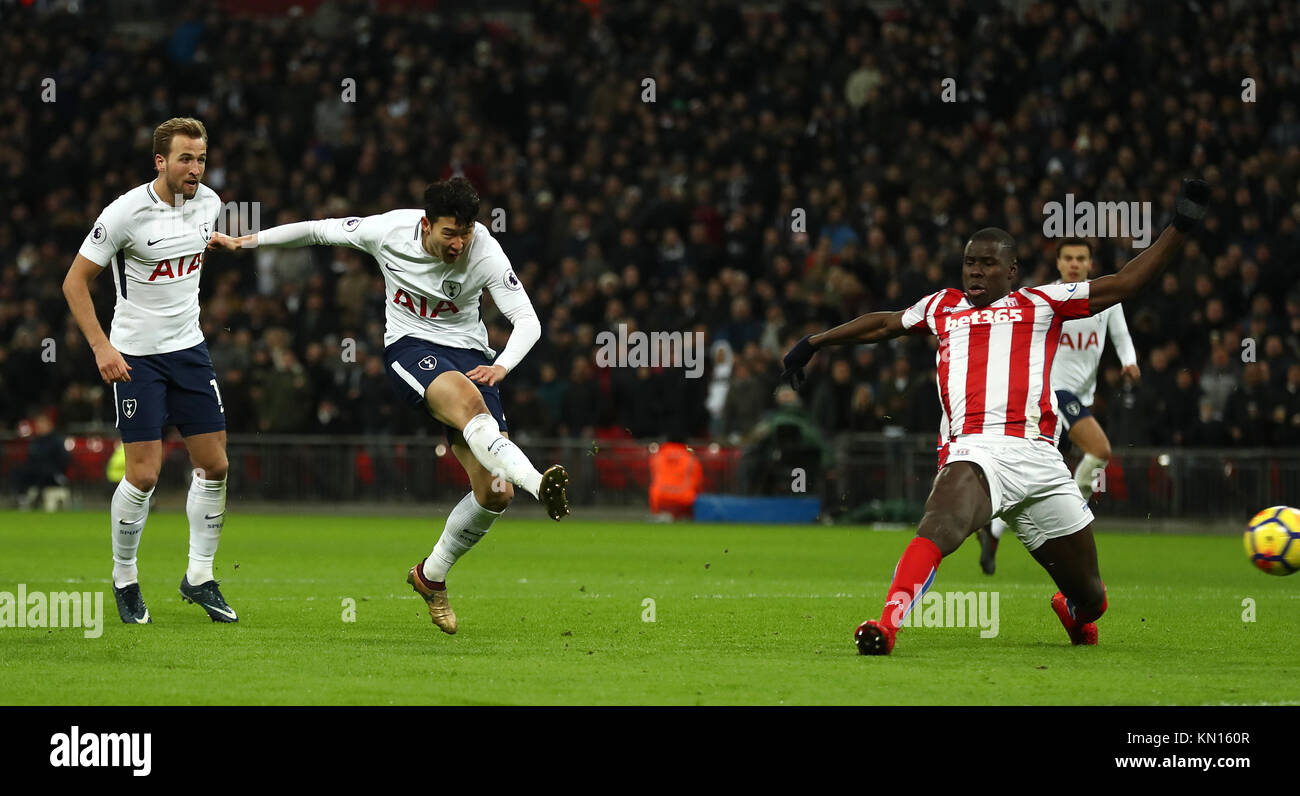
(179, 388)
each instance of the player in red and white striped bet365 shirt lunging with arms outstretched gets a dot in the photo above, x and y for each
(1000, 457)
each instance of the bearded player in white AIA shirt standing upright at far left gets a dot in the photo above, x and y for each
(154, 240)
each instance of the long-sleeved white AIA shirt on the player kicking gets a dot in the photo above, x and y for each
(424, 297)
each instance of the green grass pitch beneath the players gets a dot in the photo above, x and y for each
(557, 615)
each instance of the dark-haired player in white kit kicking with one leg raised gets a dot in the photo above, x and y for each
(436, 265)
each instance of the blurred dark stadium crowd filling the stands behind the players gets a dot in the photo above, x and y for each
(794, 171)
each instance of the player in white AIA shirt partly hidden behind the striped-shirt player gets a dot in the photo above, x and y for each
(1074, 380)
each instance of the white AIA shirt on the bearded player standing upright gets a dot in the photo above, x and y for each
(157, 256)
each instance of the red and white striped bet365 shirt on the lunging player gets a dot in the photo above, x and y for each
(995, 364)
